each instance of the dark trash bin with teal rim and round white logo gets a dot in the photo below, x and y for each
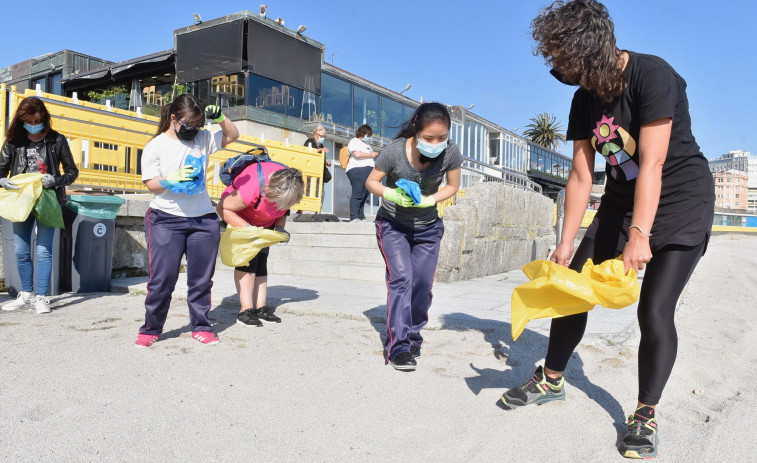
(87, 244)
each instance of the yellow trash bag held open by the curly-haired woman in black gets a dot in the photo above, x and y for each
(557, 291)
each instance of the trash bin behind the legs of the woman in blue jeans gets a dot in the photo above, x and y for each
(10, 268)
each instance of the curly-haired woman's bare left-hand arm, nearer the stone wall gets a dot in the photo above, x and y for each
(577, 194)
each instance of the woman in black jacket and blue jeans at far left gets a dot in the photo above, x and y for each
(31, 145)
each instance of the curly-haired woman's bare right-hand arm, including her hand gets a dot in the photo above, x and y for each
(654, 139)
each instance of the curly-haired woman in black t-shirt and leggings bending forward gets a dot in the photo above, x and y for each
(658, 204)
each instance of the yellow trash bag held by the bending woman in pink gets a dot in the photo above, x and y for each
(240, 245)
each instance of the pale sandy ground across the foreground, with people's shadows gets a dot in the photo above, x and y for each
(314, 388)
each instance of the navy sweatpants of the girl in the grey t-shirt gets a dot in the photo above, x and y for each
(411, 255)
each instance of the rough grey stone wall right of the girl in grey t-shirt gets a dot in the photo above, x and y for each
(493, 229)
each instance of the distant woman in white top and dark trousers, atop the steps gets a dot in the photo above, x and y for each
(359, 167)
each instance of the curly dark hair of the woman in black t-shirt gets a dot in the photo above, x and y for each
(577, 39)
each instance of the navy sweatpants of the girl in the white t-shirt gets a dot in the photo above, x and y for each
(169, 237)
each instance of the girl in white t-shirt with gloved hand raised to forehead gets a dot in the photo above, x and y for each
(179, 223)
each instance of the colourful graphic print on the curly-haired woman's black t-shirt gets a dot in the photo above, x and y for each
(618, 148)
